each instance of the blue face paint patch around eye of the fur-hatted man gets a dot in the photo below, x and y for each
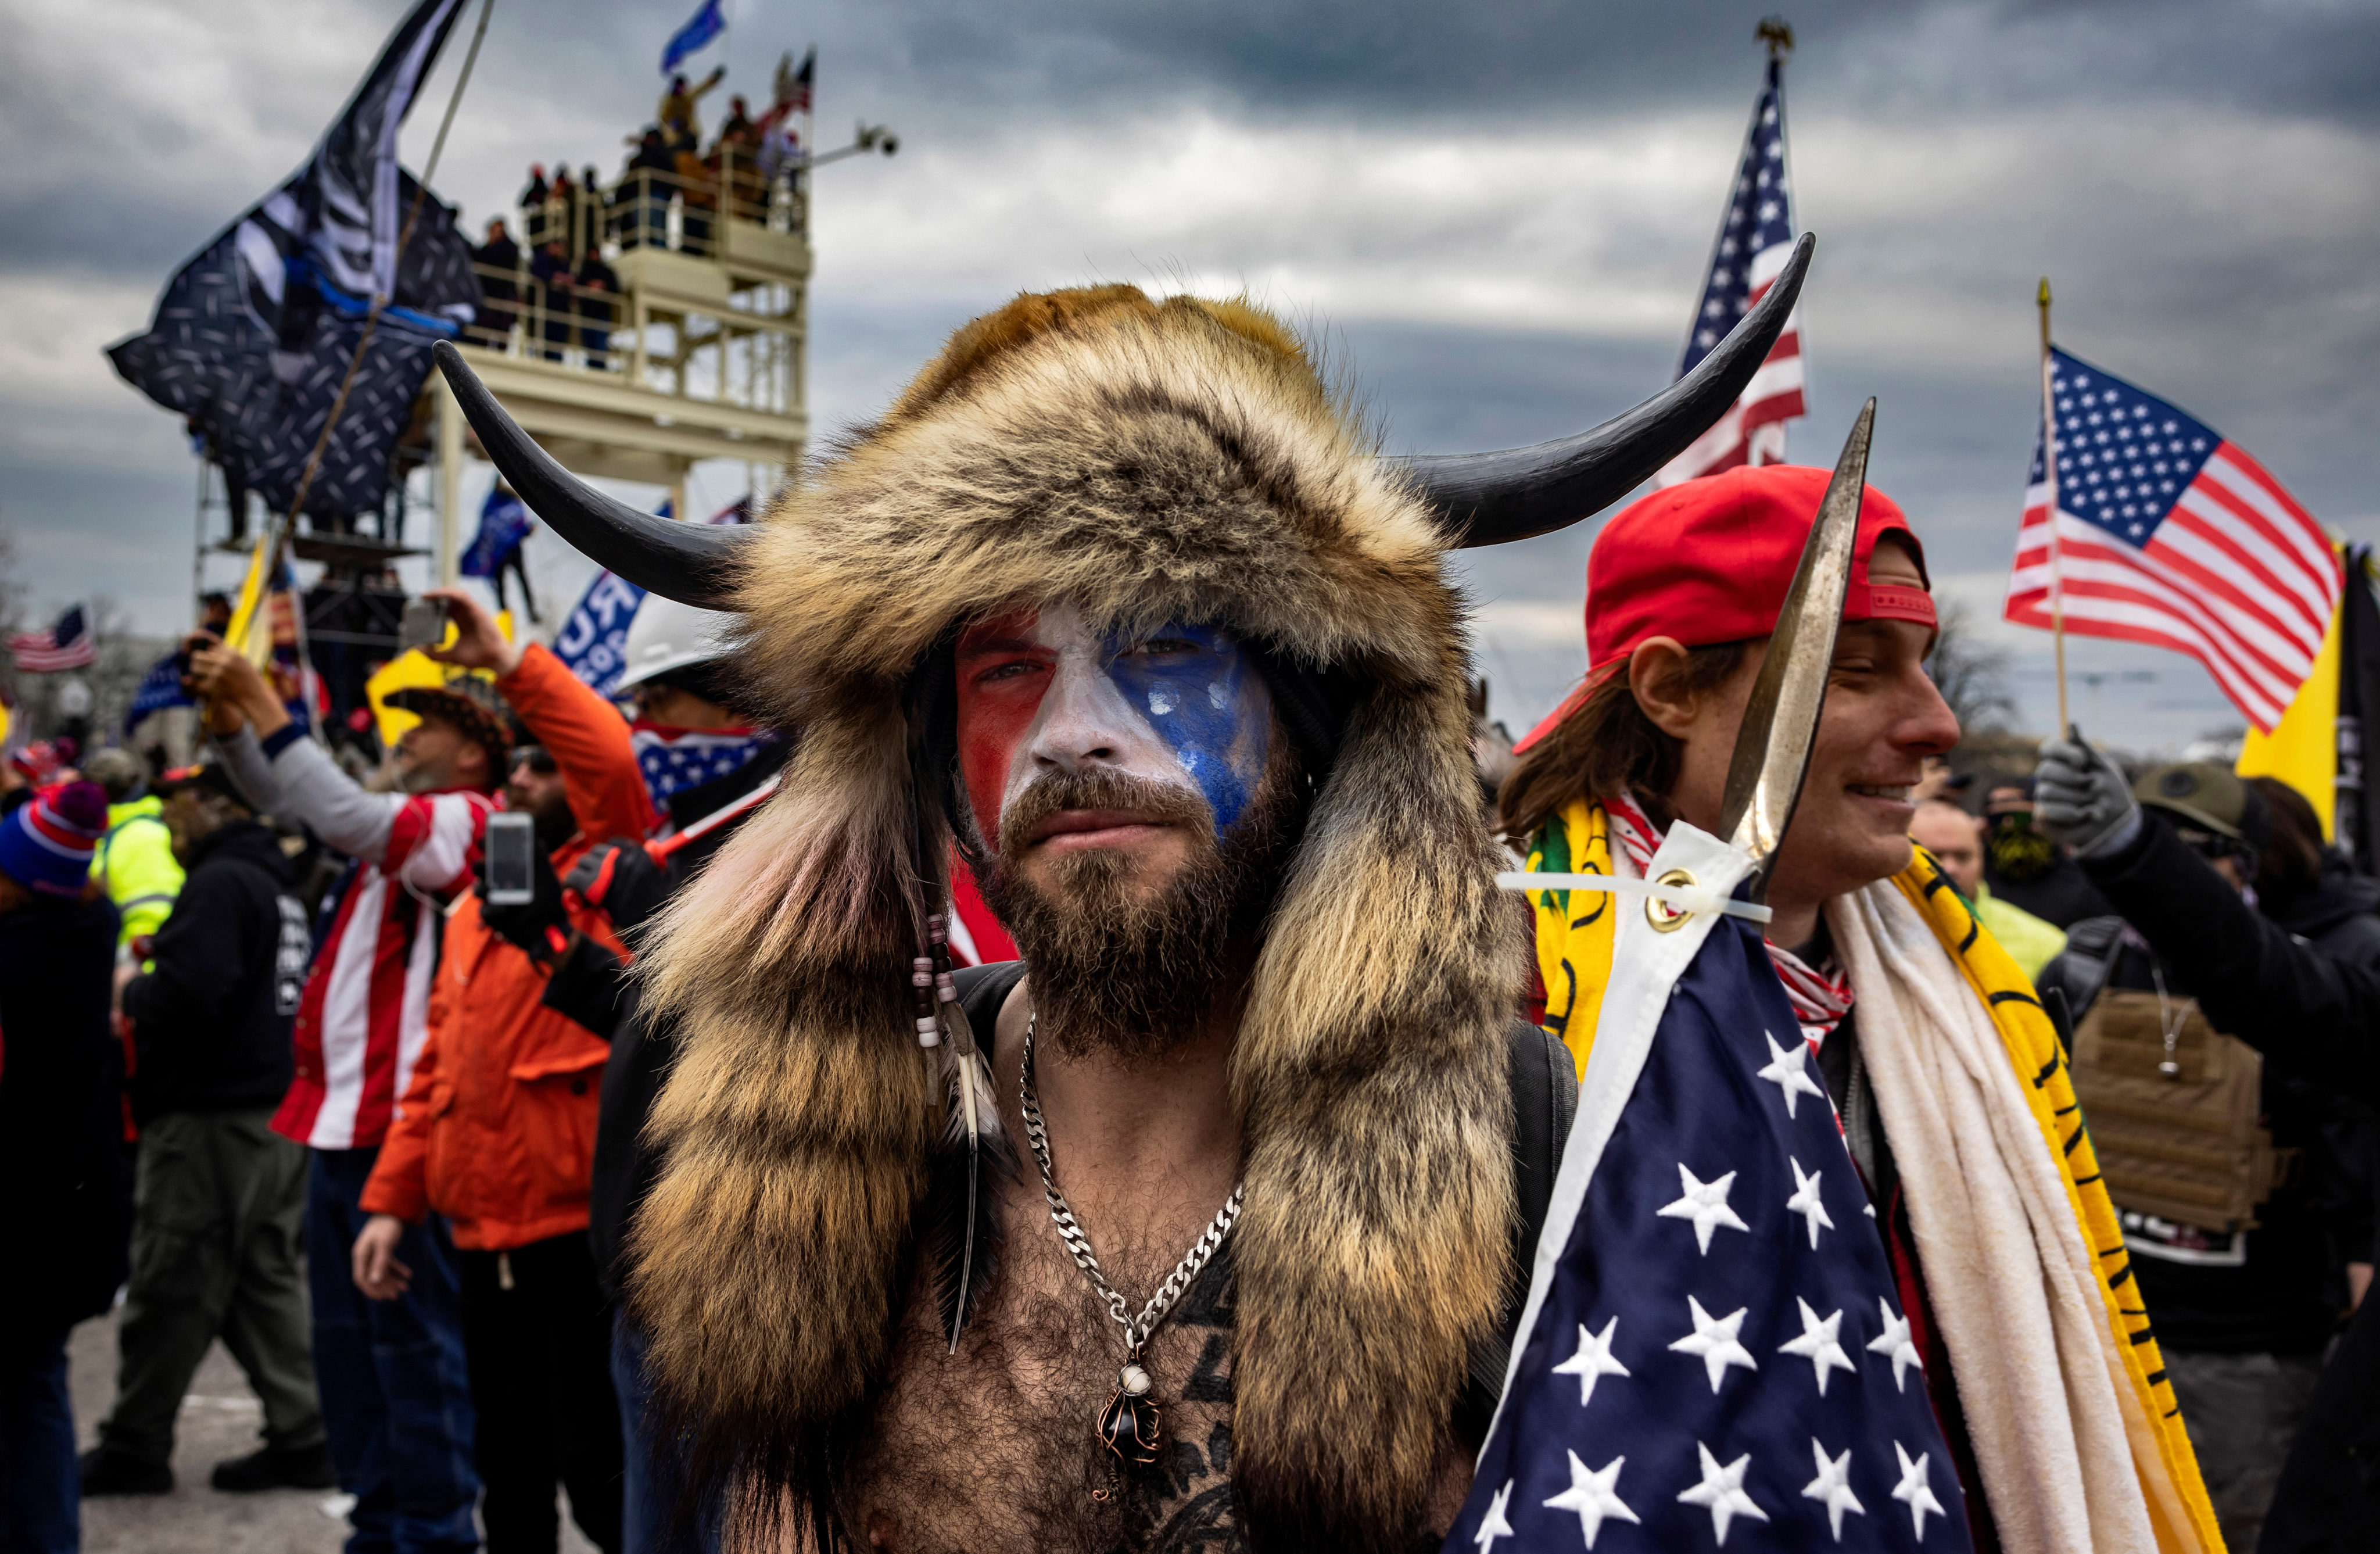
(1205, 703)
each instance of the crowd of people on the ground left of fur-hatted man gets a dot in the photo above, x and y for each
(380, 1143)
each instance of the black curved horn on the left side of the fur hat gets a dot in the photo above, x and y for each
(687, 563)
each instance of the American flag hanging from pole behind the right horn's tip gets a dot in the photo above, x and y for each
(1753, 249)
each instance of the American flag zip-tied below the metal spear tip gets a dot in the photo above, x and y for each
(1712, 1348)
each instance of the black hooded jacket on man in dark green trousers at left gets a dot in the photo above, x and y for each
(213, 1017)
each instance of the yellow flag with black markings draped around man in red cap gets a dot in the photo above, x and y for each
(1577, 936)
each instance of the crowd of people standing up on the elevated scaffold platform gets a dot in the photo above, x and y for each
(556, 282)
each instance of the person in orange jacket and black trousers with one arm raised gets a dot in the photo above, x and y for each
(496, 1129)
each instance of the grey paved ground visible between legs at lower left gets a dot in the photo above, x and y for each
(218, 1420)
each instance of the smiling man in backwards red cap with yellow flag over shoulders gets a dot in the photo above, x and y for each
(1919, 1029)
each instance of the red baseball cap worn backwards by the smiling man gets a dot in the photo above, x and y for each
(1712, 560)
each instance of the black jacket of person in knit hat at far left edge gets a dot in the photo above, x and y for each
(65, 1184)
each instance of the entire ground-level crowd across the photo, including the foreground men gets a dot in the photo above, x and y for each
(625, 1182)
